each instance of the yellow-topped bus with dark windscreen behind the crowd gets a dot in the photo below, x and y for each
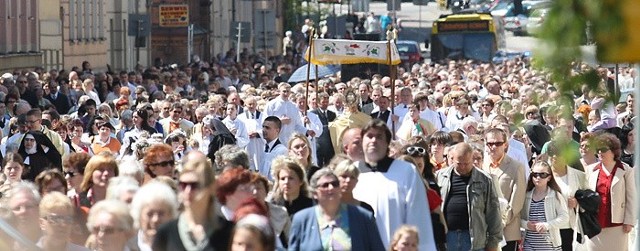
(476, 36)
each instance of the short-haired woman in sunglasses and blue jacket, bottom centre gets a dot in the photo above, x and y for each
(331, 224)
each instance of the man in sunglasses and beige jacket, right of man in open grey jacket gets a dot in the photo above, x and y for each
(509, 178)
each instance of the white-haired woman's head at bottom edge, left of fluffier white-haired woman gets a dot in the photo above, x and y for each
(111, 225)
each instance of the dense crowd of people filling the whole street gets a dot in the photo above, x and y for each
(226, 155)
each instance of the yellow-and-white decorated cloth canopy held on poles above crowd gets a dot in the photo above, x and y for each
(339, 51)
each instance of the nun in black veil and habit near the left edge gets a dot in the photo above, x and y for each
(36, 150)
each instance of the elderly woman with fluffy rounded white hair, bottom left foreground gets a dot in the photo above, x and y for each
(153, 205)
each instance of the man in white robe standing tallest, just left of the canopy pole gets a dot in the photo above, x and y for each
(287, 112)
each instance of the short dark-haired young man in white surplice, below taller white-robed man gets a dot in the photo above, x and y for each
(271, 128)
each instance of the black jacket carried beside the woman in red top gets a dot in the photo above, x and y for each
(589, 202)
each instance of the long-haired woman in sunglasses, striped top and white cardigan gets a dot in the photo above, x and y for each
(544, 211)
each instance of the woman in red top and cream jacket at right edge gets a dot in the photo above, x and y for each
(614, 181)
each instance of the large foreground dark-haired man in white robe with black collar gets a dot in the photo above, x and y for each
(392, 187)
